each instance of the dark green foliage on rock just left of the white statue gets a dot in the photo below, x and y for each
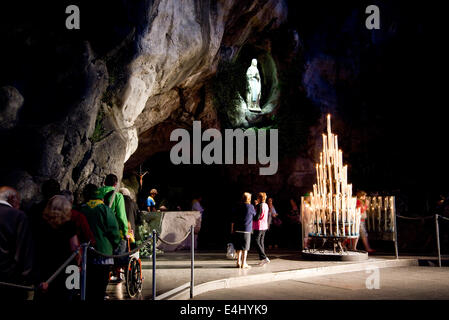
(228, 85)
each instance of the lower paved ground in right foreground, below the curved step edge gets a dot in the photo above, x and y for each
(417, 283)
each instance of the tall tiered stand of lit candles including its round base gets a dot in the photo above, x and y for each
(330, 218)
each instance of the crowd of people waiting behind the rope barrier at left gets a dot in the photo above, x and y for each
(33, 245)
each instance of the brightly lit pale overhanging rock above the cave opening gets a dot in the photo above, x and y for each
(180, 51)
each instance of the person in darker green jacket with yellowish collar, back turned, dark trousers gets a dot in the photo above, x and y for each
(103, 225)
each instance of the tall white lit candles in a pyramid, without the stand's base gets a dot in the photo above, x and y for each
(332, 207)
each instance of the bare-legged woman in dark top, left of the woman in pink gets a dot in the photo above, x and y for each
(241, 229)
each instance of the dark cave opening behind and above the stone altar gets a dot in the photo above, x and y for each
(177, 185)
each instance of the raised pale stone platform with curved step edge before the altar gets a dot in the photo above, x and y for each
(213, 271)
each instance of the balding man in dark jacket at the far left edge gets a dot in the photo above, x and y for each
(16, 258)
